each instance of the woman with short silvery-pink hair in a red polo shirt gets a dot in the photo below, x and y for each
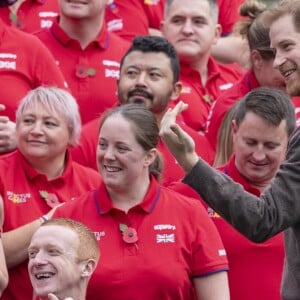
(39, 175)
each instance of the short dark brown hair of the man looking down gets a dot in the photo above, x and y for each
(271, 104)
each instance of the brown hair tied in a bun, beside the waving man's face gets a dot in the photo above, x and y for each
(254, 29)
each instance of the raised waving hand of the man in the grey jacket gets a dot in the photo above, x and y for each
(180, 144)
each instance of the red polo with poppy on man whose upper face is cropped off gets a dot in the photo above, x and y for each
(92, 72)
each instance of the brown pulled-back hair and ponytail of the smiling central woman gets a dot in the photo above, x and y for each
(144, 127)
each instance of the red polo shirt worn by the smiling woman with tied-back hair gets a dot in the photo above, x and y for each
(172, 247)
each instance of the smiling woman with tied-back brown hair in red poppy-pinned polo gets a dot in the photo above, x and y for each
(148, 233)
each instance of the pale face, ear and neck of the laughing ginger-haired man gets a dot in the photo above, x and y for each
(54, 249)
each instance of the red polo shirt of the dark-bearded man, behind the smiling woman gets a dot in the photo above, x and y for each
(85, 152)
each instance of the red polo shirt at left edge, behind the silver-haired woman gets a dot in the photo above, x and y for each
(25, 63)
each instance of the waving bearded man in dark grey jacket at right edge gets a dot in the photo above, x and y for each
(278, 208)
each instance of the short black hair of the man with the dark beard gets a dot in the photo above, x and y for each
(156, 44)
